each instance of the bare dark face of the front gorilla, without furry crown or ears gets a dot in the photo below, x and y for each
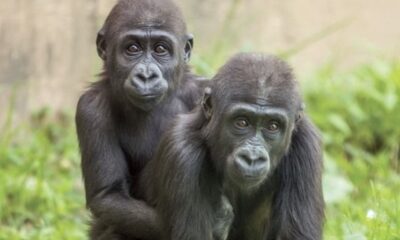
(258, 134)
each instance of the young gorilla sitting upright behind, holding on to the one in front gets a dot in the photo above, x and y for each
(145, 84)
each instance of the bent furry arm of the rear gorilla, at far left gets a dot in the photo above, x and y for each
(105, 174)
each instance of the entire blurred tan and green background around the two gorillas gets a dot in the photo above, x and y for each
(345, 53)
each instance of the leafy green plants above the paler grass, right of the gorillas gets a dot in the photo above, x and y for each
(360, 110)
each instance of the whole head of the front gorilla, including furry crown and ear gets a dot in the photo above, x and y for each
(255, 124)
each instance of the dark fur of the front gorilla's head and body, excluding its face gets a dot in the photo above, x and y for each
(186, 179)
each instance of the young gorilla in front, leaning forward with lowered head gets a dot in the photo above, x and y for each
(245, 164)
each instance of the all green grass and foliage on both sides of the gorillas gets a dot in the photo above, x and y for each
(358, 112)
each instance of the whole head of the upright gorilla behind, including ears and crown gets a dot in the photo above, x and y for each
(146, 53)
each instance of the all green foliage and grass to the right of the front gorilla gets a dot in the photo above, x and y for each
(359, 114)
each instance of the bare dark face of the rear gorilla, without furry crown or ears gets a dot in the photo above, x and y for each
(149, 58)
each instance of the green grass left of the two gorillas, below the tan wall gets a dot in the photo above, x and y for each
(41, 194)
